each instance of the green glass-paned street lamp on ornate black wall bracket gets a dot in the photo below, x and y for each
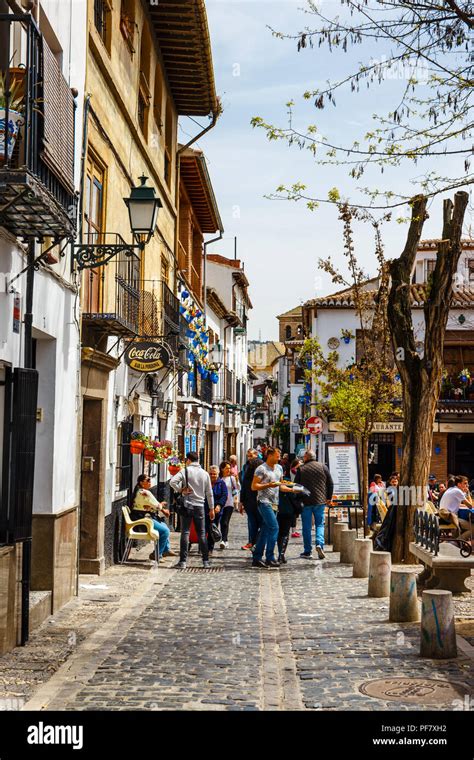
(143, 205)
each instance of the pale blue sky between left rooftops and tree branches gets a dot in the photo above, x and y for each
(256, 74)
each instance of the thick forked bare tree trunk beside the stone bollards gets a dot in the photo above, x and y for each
(421, 375)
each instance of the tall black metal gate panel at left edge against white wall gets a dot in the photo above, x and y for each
(18, 466)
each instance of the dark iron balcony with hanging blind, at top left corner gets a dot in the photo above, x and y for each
(37, 196)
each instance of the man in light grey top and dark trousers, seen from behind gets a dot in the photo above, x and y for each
(196, 491)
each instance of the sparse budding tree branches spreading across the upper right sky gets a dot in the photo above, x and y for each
(426, 45)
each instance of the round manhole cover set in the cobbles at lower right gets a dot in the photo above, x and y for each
(415, 690)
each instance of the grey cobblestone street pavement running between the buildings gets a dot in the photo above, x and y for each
(232, 638)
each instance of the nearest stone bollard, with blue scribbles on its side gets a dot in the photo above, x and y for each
(438, 634)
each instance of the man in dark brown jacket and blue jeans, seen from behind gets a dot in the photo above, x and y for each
(316, 477)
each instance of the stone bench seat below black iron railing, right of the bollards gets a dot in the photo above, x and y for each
(446, 570)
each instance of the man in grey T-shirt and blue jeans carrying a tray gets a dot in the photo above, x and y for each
(267, 483)
